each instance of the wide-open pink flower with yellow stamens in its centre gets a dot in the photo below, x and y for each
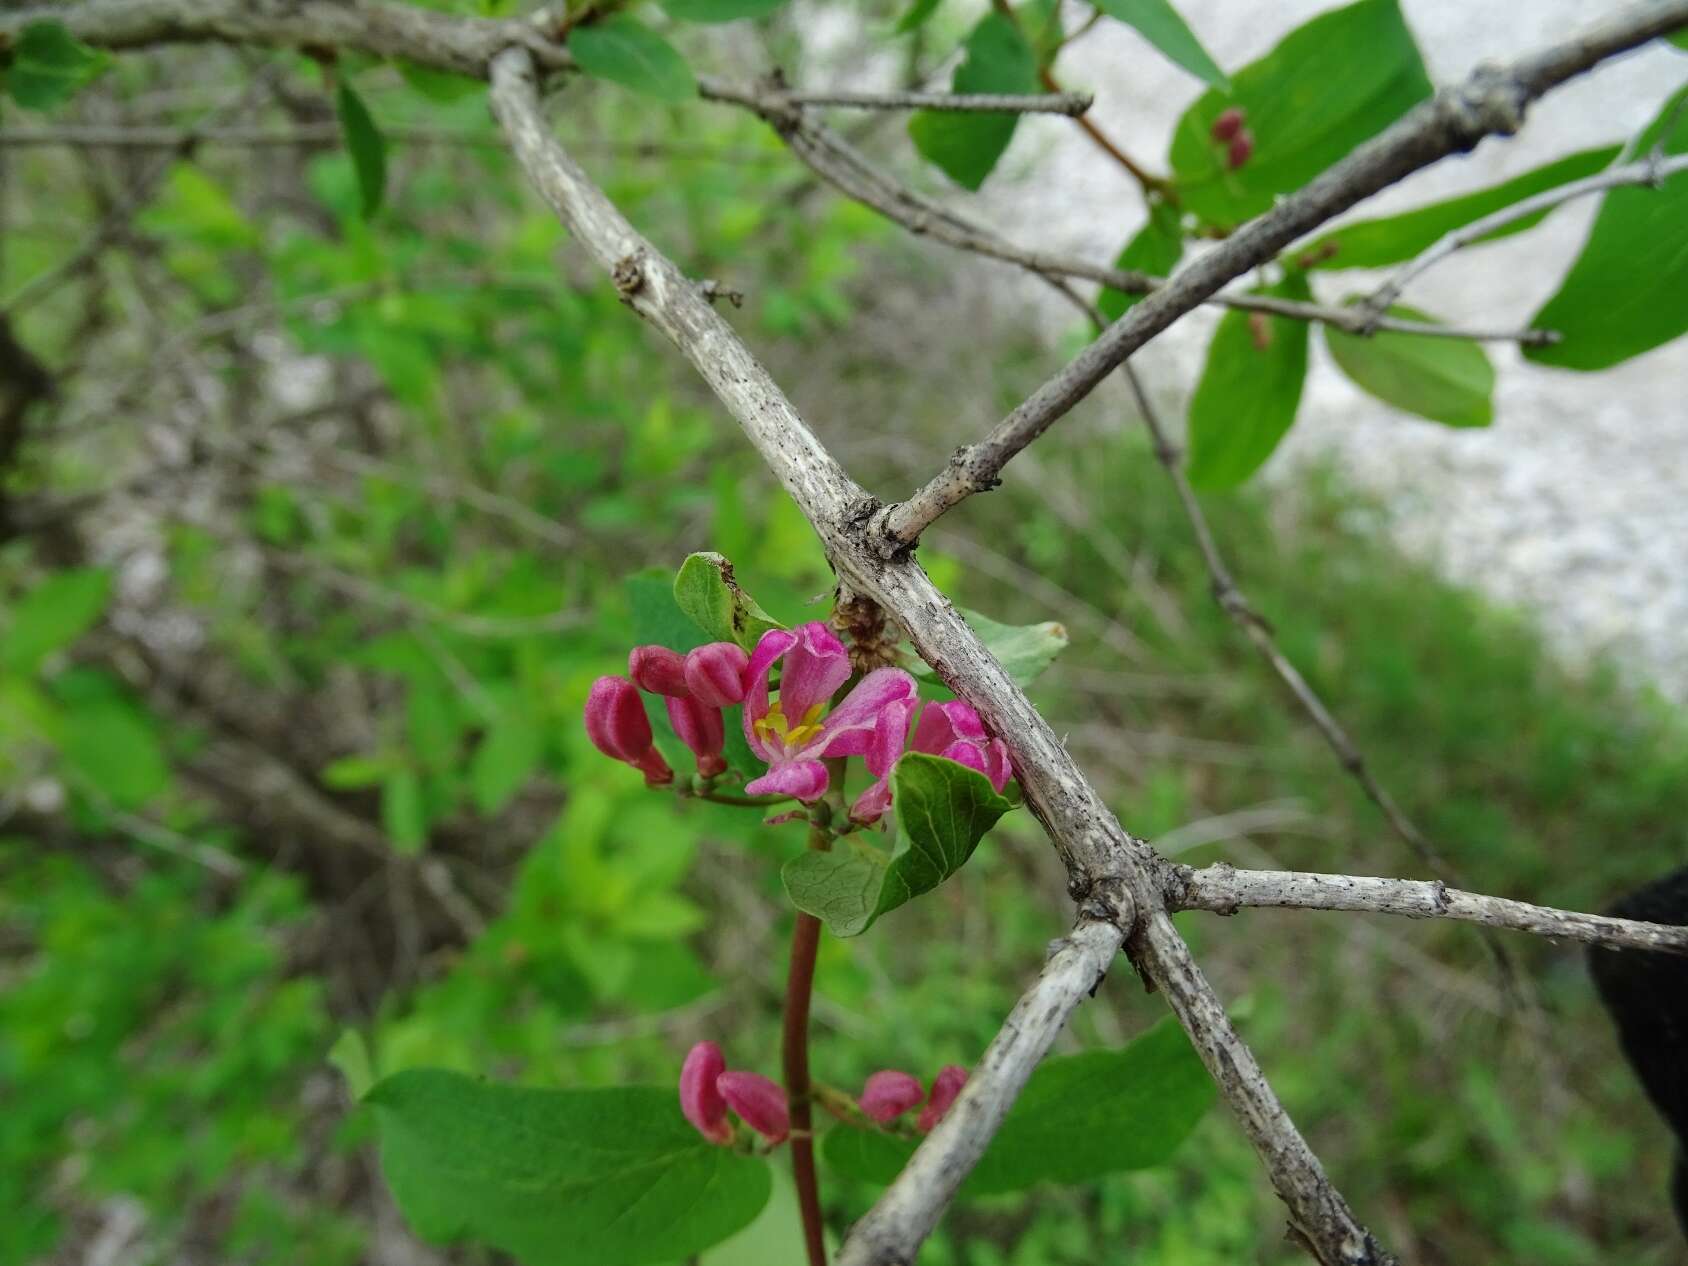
(796, 732)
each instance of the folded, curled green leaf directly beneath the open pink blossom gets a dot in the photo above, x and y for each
(943, 813)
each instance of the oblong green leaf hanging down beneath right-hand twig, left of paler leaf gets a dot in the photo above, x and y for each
(1250, 391)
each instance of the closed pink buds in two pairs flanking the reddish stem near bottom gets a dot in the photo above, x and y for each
(710, 1093)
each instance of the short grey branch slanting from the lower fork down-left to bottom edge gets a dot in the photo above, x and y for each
(909, 1209)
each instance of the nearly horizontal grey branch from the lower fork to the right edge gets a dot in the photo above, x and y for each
(1226, 890)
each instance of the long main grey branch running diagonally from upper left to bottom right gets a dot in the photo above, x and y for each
(1100, 855)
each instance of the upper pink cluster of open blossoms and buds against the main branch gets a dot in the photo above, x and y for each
(793, 732)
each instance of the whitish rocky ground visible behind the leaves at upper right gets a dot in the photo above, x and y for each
(1576, 502)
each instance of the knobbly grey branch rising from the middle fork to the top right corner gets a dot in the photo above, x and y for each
(1491, 102)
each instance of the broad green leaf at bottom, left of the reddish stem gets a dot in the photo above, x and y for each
(610, 1177)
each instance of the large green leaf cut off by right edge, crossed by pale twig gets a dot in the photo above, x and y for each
(1628, 289)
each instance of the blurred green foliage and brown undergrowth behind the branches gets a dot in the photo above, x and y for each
(315, 539)
